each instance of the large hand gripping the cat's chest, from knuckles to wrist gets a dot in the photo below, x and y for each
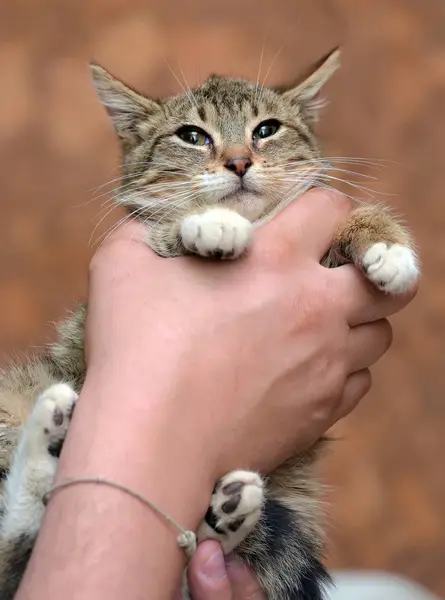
(274, 346)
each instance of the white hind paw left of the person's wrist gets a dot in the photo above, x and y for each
(48, 423)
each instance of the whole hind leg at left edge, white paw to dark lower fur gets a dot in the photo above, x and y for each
(29, 479)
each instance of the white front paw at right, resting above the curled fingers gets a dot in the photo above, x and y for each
(392, 268)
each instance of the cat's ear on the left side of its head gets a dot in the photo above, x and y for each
(126, 108)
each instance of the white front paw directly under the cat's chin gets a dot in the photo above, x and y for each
(218, 232)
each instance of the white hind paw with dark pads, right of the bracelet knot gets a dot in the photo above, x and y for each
(235, 509)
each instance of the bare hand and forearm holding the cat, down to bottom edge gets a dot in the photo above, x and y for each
(215, 362)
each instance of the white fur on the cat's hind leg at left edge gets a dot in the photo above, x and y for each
(33, 468)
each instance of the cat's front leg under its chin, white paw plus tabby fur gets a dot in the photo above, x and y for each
(215, 232)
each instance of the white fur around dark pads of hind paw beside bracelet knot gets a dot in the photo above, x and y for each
(249, 509)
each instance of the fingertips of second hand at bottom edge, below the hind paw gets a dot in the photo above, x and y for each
(212, 577)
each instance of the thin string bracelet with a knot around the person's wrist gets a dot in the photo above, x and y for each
(186, 540)
